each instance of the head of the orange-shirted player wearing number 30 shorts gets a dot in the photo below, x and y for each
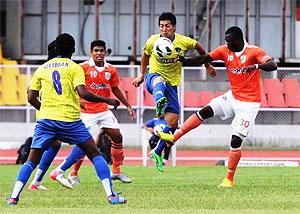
(234, 39)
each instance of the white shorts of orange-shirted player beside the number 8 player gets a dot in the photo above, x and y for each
(95, 122)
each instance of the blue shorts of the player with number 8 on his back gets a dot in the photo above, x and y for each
(46, 131)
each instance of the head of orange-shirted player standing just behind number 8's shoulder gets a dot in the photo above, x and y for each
(98, 52)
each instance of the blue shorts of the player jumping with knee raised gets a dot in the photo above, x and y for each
(171, 93)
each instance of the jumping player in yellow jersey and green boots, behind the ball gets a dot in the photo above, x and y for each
(164, 76)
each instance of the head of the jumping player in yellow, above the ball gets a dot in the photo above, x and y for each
(167, 24)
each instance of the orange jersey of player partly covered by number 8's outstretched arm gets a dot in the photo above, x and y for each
(99, 81)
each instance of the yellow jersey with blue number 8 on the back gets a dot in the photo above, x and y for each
(56, 80)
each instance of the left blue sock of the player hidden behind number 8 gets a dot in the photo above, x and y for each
(46, 160)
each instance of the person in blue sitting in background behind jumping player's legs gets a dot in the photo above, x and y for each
(158, 123)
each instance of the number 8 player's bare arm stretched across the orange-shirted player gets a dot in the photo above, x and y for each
(84, 93)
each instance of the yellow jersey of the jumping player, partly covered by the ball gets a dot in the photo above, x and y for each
(165, 66)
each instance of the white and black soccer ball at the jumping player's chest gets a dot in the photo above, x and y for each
(163, 47)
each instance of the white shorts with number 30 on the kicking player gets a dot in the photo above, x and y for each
(244, 113)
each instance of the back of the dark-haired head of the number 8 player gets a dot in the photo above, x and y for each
(65, 45)
